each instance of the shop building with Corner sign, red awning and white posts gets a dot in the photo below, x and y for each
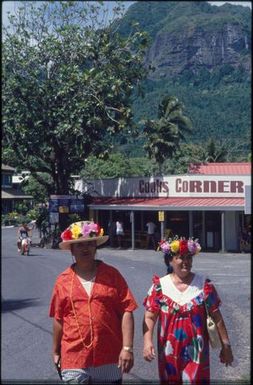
(211, 202)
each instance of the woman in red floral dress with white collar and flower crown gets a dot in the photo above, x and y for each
(178, 302)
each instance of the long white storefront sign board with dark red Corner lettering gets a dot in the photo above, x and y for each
(173, 186)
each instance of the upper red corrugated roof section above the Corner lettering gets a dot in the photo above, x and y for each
(243, 168)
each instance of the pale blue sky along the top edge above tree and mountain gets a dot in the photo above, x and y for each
(12, 5)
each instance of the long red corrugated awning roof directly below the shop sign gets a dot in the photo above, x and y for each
(170, 202)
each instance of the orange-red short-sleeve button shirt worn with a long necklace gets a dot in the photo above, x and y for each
(109, 299)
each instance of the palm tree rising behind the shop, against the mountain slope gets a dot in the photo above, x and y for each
(163, 135)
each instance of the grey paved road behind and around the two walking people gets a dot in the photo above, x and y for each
(27, 283)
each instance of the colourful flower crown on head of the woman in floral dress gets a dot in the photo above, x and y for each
(179, 246)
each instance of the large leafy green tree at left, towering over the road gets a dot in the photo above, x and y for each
(67, 80)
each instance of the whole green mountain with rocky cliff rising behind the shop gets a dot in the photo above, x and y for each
(202, 54)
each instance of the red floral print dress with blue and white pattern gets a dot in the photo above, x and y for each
(183, 346)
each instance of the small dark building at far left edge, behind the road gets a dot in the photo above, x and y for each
(12, 195)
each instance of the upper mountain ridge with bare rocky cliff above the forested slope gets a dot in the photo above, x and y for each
(192, 34)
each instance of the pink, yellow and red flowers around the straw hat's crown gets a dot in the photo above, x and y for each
(83, 229)
